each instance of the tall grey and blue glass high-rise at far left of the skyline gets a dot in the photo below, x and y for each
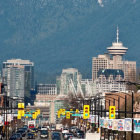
(19, 76)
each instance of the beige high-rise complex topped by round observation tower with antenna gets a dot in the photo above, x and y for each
(114, 60)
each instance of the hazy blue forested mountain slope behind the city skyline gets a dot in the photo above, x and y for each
(58, 34)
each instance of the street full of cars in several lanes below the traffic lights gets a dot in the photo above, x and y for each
(47, 132)
